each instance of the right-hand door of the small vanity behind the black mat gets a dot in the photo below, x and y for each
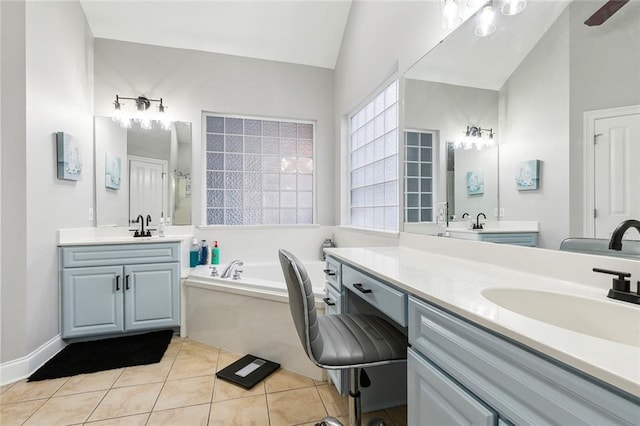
(152, 296)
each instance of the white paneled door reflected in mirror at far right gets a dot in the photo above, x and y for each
(616, 172)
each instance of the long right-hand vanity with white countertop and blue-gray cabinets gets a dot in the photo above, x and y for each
(471, 361)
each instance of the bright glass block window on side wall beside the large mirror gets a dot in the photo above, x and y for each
(374, 162)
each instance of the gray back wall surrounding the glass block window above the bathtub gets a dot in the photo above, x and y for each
(191, 82)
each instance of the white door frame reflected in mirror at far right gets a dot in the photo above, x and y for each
(588, 141)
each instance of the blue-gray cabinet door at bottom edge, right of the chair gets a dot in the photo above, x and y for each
(434, 399)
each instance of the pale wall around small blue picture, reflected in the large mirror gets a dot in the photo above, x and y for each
(533, 110)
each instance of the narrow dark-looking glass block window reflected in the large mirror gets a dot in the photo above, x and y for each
(418, 176)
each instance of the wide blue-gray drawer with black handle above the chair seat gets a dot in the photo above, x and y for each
(386, 299)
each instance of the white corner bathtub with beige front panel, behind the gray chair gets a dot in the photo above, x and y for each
(250, 315)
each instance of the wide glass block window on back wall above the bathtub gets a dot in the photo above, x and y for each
(258, 172)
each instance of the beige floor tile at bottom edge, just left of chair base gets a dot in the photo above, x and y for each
(295, 406)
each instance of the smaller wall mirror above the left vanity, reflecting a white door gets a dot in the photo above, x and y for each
(142, 172)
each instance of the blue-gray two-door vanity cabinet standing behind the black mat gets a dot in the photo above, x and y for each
(119, 288)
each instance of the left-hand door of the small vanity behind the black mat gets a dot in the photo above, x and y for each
(92, 301)
